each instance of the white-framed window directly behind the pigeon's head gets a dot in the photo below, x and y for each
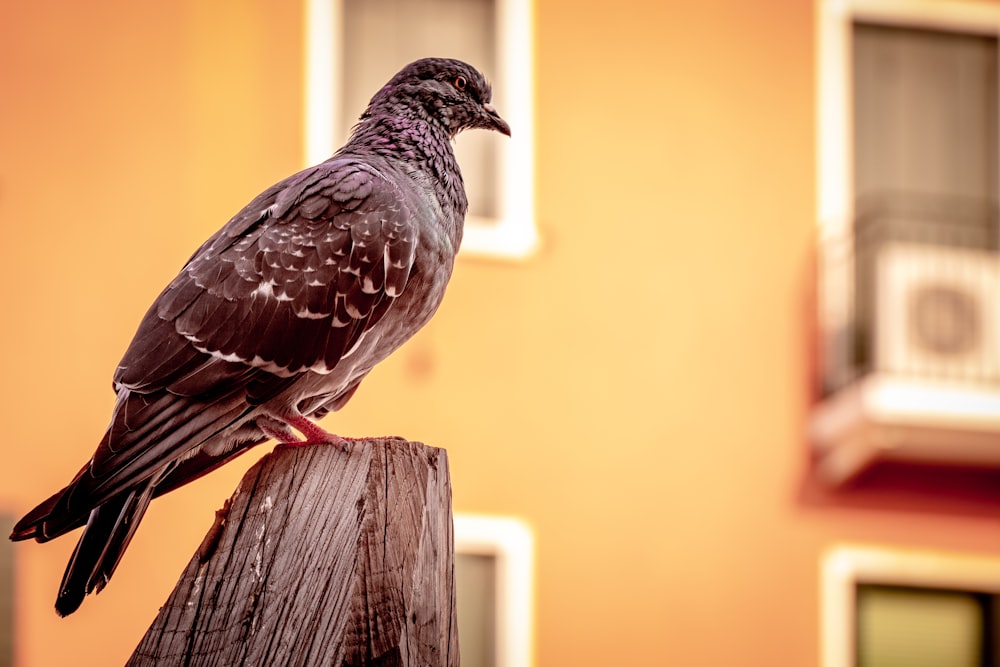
(354, 46)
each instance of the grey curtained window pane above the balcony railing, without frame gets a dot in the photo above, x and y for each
(925, 115)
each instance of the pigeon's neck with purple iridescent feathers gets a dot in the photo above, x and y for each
(415, 144)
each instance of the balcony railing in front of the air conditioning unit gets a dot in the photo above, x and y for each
(914, 290)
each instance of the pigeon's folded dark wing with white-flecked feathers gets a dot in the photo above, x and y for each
(288, 285)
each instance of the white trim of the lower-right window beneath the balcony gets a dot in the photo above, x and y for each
(844, 567)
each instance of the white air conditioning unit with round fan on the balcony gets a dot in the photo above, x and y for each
(937, 313)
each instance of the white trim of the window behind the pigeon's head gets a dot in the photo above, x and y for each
(513, 234)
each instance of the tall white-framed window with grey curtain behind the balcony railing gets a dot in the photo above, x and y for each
(908, 151)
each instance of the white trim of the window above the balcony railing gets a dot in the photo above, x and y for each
(834, 101)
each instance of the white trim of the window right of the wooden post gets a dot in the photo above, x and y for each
(511, 543)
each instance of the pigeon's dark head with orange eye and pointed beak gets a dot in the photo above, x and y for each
(449, 92)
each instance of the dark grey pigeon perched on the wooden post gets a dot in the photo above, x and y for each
(279, 316)
